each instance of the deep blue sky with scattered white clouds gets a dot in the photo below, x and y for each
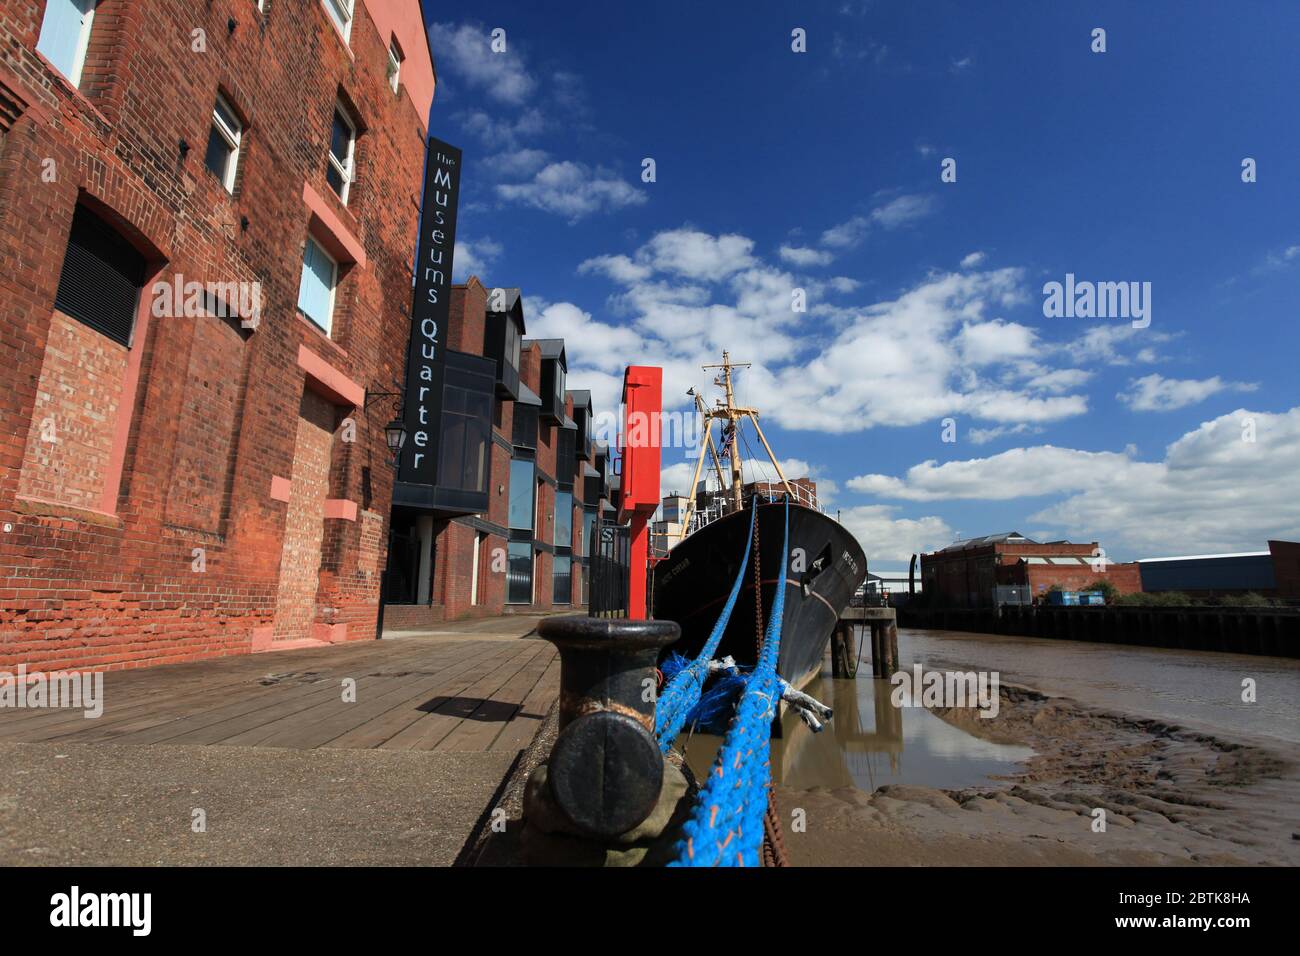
(821, 171)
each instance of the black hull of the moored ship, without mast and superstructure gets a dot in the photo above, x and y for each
(691, 586)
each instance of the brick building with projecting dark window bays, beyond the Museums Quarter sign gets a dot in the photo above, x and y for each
(521, 546)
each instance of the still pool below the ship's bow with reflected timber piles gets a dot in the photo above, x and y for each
(872, 743)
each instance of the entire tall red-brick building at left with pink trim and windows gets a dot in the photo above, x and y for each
(207, 222)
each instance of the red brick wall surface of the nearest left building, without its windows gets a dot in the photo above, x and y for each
(210, 421)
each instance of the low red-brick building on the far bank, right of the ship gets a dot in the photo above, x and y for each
(967, 573)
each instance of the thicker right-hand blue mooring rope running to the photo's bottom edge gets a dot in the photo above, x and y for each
(726, 825)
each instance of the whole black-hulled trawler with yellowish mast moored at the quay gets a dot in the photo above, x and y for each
(694, 581)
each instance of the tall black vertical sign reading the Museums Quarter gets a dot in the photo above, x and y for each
(426, 360)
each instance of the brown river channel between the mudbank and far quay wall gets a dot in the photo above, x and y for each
(1191, 687)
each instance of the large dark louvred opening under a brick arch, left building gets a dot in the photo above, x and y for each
(102, 278)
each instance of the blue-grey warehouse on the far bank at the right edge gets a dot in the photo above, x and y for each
(1275, 573)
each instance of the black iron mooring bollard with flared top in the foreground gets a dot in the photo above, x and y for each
(606, 771)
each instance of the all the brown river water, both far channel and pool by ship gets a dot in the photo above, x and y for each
(870, 743)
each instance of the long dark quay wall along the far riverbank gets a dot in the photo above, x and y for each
(1267, 631)
